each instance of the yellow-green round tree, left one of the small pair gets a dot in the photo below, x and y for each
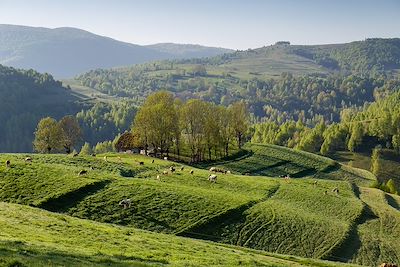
(48, 136)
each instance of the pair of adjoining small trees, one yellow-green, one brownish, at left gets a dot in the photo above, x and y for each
(54, 136)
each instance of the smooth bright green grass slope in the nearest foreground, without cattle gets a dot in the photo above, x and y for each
(33, 237)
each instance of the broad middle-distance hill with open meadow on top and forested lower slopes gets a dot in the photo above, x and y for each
(281, 82)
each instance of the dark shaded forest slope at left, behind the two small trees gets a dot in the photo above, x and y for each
(26, 96)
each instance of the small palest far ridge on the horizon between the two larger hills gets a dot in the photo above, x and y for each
(189, 50)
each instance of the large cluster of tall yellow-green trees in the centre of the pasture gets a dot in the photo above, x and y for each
(204, 129)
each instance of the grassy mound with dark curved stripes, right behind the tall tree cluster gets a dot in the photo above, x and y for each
(272, 160)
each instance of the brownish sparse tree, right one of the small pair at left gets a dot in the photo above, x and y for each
(71, 132)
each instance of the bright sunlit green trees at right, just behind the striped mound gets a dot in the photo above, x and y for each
(375, 124)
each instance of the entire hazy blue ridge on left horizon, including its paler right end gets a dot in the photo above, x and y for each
(66, 52)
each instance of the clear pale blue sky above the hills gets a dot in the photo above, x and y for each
(236, 24)
